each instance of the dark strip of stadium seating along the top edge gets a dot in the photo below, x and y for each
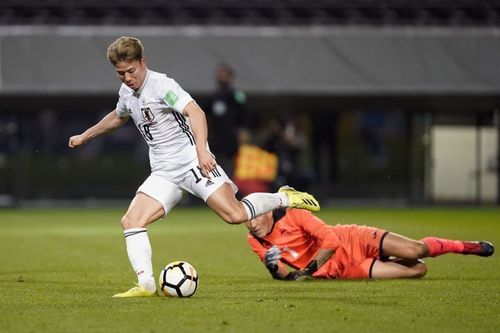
(252, 13)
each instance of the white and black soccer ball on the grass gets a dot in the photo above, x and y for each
(178, 279)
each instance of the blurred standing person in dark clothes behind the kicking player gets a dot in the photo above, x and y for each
(228, 119)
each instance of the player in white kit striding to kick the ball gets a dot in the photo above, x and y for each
(175, 129)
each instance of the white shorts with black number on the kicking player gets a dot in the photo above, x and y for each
(161, 186)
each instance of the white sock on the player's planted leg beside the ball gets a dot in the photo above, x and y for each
(139, 253)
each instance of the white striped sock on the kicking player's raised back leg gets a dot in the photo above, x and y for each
(259, 203)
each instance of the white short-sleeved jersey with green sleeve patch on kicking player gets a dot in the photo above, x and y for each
(156, 109)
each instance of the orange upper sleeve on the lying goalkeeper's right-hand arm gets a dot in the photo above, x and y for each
(314, 226)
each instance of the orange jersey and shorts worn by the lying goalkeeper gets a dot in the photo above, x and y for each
(299, 234)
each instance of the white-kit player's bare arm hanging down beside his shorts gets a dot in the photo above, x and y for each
(198, 122)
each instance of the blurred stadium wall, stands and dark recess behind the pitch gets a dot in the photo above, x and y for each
(397, 100)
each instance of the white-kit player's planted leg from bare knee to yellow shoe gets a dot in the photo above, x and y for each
(142, 211)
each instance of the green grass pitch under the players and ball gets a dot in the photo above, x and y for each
(59, 269)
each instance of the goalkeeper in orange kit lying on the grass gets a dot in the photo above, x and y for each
(312, 248)
